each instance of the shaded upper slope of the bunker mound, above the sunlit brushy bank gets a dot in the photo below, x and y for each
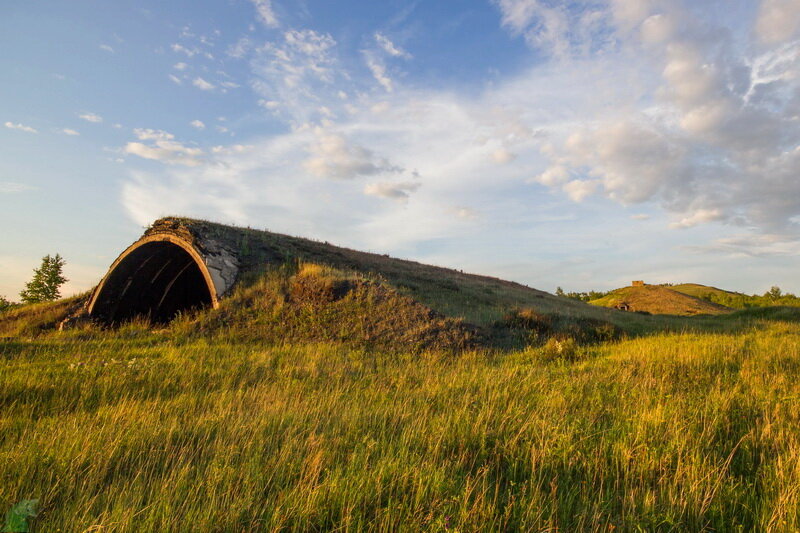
(479, 300)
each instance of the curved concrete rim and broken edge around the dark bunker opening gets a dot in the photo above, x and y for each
(218, 265)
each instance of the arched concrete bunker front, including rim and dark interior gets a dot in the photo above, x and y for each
(159, 276)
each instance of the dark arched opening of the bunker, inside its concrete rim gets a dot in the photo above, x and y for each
(157, 280)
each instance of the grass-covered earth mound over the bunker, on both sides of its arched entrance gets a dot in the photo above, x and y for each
(301, 289)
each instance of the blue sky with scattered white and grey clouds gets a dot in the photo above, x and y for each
(580, 144)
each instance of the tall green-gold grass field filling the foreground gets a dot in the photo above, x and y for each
(141, 430)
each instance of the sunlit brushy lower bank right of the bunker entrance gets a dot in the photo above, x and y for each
(317, 303)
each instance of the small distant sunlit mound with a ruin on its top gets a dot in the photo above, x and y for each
(658, 300)
